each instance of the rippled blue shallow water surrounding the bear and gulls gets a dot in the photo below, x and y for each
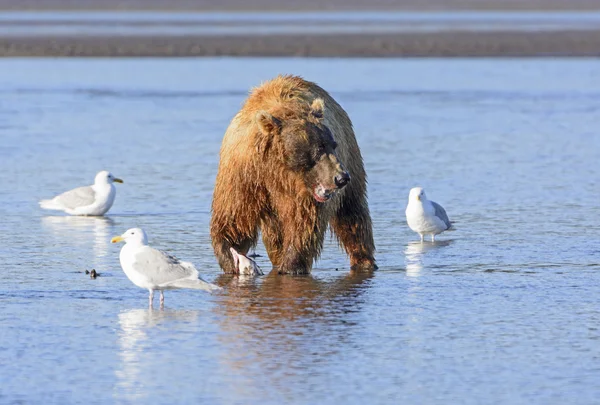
(502, 310)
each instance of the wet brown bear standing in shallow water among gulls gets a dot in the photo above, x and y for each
(289, 167)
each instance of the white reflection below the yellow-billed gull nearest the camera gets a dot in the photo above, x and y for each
(134, 348)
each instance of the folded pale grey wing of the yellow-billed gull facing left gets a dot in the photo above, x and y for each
(161, 268)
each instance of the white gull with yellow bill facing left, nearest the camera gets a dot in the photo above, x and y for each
(153, 270)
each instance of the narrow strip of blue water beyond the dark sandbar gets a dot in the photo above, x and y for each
(32, 23)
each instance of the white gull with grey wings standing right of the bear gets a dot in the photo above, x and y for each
(425, 217)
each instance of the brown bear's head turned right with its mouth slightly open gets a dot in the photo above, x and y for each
(305, 145)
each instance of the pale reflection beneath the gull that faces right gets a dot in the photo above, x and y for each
(83, 230)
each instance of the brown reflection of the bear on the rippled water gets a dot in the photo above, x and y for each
(281, 324)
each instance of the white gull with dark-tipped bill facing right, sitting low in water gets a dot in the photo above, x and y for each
(94, 200)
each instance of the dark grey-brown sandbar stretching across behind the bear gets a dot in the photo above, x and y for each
(442, 44)
